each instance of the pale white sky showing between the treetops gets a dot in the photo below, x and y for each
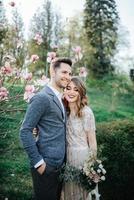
(69, 7)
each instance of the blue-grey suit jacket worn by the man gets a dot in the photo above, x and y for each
(45, 113)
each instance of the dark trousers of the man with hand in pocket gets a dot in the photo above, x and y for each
(47, 186)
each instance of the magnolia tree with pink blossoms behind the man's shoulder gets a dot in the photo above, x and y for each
(18, 84)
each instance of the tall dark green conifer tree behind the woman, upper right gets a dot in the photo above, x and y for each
(101, 23)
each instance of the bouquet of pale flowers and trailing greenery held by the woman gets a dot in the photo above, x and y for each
(87, 176)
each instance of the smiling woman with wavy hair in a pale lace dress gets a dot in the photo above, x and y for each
(81, 137)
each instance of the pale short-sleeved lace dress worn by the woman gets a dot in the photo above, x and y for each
(77, 150)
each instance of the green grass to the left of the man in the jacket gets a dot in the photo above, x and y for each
(15, 181)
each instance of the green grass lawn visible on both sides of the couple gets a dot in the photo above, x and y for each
(15, 181)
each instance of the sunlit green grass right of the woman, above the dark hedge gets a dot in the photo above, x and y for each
(109, 103)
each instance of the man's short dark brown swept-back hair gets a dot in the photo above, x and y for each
(56, 62)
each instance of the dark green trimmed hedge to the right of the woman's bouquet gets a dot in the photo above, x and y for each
(116, 146)
